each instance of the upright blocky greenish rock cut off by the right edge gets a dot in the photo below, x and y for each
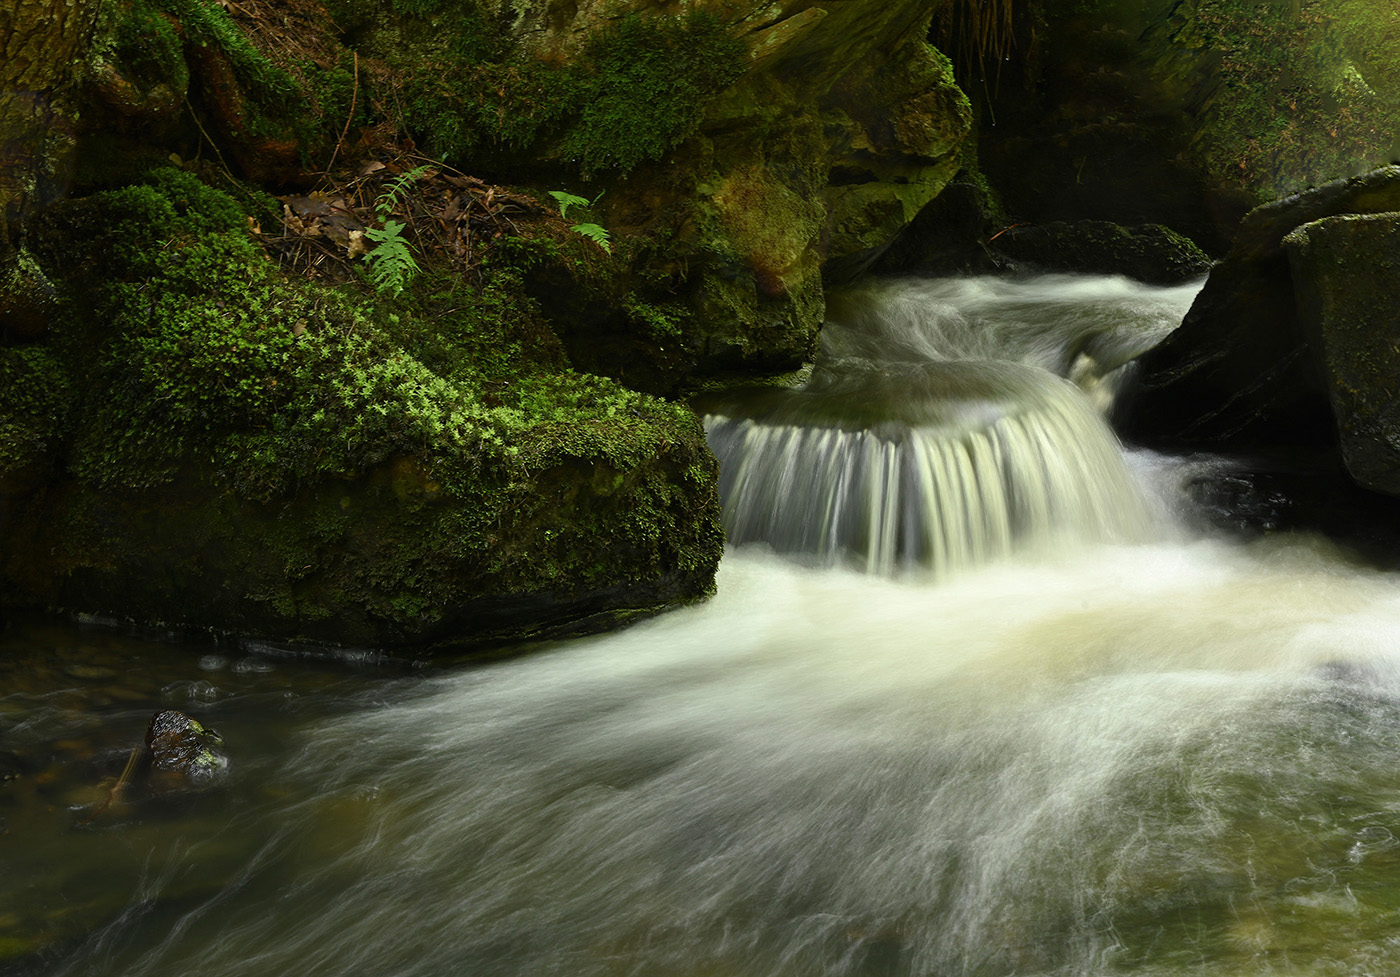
(1347, 281)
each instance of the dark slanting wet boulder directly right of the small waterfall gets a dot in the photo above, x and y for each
(1245, 369)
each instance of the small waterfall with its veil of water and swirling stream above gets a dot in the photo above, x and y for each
(915, 446)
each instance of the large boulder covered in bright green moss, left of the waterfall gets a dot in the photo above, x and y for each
(204, 442)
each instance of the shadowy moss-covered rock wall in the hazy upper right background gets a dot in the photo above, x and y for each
(1192, 113)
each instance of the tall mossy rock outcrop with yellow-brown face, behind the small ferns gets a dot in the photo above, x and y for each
(733, 152)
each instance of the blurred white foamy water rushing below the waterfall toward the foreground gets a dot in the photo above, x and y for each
(1154, 759)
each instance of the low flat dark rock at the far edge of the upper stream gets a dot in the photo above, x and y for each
(1147, 253)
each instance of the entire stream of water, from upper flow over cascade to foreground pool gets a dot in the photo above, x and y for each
(1027, 744)
